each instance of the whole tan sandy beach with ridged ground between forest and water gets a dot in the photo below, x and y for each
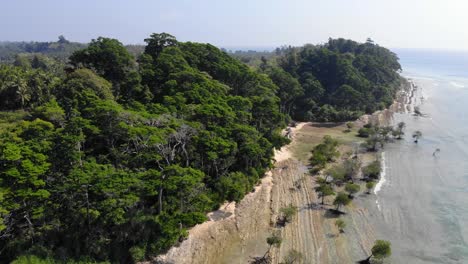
(239, 231)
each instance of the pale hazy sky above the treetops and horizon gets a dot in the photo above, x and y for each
(233, 23)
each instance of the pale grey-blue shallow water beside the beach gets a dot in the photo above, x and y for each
(423, 203)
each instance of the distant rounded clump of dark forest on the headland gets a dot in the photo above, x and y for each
(337, 81)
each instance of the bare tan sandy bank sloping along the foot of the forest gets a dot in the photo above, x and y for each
(237, 236)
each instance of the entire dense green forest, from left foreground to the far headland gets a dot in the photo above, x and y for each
(114, 154)
